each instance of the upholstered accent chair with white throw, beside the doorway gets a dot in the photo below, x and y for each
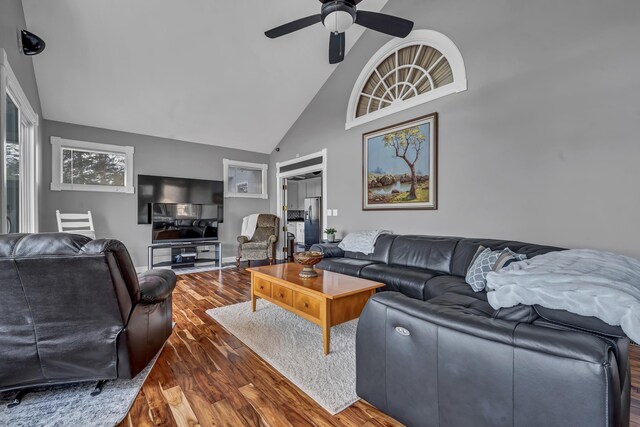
(262, 245)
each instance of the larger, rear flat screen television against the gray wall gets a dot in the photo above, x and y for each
(170, 190)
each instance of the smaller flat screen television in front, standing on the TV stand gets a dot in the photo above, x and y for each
(174, 222)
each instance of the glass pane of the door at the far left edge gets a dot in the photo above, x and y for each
(12, 162)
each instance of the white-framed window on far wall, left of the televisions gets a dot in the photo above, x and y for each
(89, 166)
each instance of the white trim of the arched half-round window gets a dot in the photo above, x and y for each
(427, 37)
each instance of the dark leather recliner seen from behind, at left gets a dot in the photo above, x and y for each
(73, 309)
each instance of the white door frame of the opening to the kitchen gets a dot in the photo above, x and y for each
(280, 176)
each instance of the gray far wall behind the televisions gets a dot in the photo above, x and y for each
(115, 215)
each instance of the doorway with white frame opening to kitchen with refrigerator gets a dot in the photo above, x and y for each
(302, 201)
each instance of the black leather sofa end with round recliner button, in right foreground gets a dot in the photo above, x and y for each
(413, 358)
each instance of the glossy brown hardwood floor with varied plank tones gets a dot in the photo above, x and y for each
(206, 376)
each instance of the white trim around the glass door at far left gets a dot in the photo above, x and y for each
(29, 168)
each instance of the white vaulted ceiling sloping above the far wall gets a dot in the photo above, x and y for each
(198, 70)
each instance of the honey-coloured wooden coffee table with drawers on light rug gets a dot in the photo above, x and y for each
(326, 300)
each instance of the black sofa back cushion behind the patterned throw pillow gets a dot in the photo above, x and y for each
(466, 249)
